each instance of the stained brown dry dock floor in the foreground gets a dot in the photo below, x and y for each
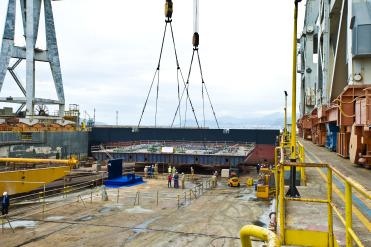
(213, 219)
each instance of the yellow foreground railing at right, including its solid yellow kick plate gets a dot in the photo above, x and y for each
(287, 236)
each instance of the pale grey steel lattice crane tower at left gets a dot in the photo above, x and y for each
(30, 10)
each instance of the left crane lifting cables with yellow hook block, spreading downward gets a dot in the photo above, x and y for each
(168, 15)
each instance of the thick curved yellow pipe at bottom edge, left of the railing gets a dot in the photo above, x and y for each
(260, 233)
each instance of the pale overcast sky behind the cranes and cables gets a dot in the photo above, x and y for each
(109, 52)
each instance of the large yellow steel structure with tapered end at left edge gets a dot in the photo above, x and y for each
(26, 180)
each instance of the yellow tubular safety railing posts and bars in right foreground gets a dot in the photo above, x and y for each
(349, 185)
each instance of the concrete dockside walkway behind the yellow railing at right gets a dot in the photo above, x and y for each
(313, 216)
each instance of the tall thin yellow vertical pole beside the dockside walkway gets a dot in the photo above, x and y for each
(293, 101)
